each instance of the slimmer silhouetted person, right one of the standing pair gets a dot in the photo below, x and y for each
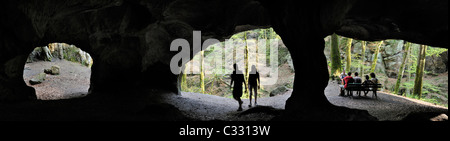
(253, 84)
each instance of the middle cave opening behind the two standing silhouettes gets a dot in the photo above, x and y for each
(262, 48)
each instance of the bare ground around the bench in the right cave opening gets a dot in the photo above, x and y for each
(385, 107)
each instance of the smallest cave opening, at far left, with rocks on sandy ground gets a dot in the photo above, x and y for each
(58, 71)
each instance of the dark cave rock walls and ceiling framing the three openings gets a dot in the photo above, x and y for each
(133, 37)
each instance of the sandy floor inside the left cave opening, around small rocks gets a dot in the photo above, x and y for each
(73, 80)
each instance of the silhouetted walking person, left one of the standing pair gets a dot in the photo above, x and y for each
(238, 78)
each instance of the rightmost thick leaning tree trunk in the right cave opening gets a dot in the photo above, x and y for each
(419, 72)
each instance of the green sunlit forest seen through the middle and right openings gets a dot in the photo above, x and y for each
(403, 68)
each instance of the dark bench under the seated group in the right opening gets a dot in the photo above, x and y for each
(366, 88)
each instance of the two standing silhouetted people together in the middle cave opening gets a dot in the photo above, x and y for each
(238, 78)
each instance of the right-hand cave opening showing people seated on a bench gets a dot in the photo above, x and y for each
(385, 58)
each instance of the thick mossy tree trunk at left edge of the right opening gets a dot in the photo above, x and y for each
(335, 56)
